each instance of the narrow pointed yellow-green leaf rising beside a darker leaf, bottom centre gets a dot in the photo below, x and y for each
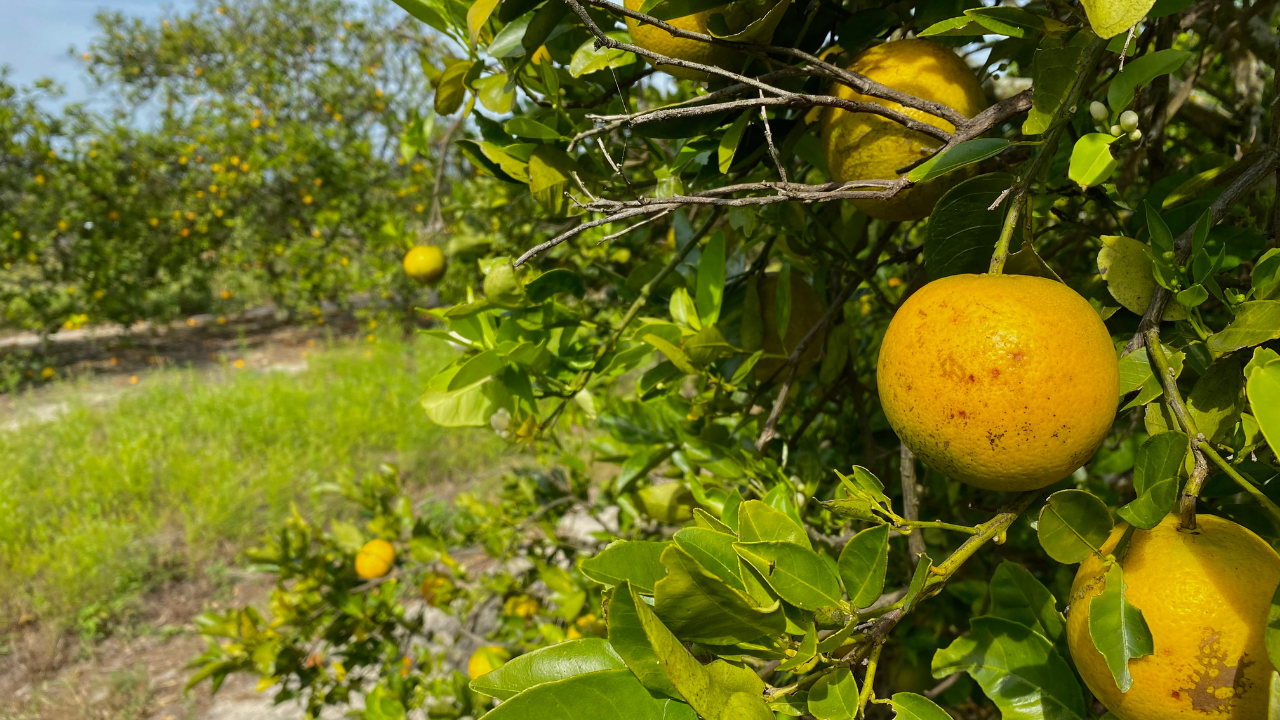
(706, 692)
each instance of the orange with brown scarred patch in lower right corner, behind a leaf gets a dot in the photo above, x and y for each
(1205, 595)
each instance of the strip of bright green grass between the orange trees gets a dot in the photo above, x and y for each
(188, 467)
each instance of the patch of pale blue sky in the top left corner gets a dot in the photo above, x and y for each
(36, 34)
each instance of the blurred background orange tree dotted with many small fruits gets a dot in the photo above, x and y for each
(249, 152)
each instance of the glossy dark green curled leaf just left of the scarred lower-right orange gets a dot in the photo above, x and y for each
(1017, 668)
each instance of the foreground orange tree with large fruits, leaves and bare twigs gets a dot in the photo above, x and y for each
(886, 317)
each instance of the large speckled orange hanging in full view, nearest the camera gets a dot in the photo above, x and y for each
(1004, 382)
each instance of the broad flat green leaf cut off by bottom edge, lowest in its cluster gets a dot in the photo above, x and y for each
(611, 695)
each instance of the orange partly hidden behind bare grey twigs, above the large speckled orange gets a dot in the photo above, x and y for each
(865, 147)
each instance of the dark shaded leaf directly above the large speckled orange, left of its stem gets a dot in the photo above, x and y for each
(963, 231)
